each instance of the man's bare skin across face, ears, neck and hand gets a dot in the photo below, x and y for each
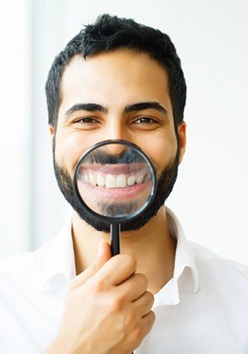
(115, 295)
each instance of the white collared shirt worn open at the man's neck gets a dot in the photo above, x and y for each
(203, 309)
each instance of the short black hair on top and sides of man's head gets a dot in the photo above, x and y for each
(109, 33)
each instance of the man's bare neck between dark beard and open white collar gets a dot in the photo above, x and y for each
(152, 246)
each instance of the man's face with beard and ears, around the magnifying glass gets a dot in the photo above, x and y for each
(117, 95)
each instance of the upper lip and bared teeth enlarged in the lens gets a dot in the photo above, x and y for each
(114, 177)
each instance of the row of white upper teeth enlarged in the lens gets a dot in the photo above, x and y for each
(115, 181)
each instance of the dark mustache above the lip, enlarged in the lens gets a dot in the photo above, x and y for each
(124, 157)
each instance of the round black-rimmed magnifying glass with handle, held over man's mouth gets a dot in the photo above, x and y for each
(115, 181)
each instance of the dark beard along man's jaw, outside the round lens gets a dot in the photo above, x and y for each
(165, 185)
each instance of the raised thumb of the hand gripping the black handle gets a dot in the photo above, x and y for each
(103, 255)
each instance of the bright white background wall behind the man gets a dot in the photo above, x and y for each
(211, 195)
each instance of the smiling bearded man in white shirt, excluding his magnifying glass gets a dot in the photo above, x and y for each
(120, 80)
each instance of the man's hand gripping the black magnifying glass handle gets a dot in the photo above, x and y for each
(107, 308)
